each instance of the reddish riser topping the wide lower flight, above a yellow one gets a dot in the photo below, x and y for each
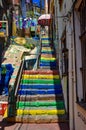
(42, 72)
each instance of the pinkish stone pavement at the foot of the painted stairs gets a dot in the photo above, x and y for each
(19, 126)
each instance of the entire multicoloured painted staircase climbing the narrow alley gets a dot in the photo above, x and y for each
(40, 96)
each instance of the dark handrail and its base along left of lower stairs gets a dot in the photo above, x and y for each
(13, 92)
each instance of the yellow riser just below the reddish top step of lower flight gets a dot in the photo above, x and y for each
(40, 76)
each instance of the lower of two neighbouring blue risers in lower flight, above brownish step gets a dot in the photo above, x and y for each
(36, 92)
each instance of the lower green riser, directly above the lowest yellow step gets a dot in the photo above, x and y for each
(42, 103)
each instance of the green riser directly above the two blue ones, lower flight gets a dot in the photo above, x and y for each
(40, 81)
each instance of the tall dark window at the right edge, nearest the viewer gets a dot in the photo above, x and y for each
(83, 44)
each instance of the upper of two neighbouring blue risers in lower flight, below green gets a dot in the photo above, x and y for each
(40, 86)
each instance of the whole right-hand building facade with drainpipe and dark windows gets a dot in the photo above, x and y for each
(70, 23)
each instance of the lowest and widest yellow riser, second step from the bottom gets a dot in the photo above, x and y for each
(40, 112)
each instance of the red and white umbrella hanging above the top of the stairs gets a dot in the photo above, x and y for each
(45, 19)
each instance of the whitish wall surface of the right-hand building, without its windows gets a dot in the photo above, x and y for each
(77, 115)
